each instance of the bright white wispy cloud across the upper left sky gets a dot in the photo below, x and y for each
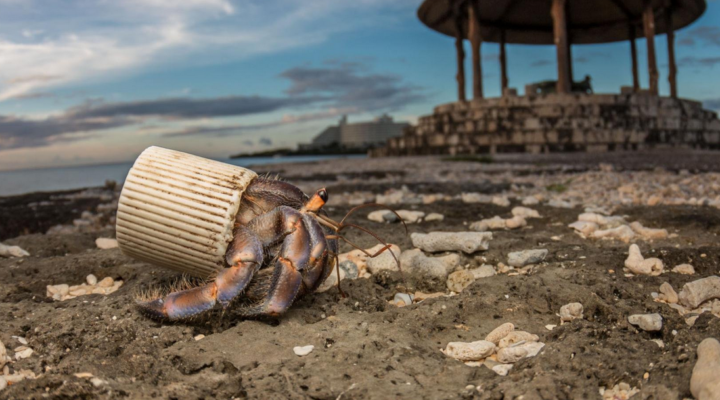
(84, 41)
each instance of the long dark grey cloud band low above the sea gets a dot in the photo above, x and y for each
(344, 88)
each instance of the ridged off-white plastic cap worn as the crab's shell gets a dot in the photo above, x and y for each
(177, 210)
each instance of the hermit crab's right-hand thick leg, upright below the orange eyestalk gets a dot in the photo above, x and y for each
(298, 250)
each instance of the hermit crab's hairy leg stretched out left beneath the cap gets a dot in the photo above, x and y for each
(244, 257)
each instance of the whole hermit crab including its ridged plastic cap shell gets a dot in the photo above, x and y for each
(257, 239)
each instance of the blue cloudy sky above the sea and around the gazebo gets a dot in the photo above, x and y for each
(97, 81)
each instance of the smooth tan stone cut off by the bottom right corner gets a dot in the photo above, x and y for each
(705, 379)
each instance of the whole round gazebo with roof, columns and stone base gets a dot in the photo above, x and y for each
(558, 118)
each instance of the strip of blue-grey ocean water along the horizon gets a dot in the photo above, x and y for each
(51, 179)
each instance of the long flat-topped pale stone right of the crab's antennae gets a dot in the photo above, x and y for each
(467, 242)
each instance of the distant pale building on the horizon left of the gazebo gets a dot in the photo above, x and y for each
(357, 135)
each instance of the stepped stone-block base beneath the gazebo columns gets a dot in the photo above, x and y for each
(559, 122)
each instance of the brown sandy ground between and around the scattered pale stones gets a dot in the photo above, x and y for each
(364, 346)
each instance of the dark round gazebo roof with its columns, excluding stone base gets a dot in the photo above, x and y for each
(562, 23)
